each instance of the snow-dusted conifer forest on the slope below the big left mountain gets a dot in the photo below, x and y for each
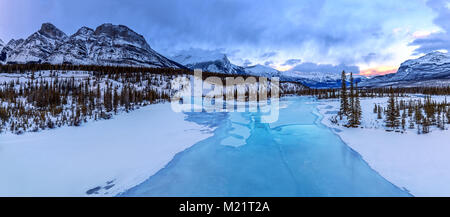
(52, 101)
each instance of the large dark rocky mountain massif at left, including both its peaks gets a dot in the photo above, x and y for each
(108, 44)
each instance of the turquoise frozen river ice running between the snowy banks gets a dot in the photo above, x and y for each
(295, 156)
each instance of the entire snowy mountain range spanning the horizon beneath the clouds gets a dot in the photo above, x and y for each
(118, 45)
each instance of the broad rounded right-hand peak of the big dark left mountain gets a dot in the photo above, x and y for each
(109, 45)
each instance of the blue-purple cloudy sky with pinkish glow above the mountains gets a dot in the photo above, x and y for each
(374, 36)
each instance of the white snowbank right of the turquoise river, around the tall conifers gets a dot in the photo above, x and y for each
(418, 163)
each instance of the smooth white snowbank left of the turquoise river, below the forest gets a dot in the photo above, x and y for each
(101, 158)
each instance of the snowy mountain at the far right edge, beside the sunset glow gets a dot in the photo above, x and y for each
(431, 69)
